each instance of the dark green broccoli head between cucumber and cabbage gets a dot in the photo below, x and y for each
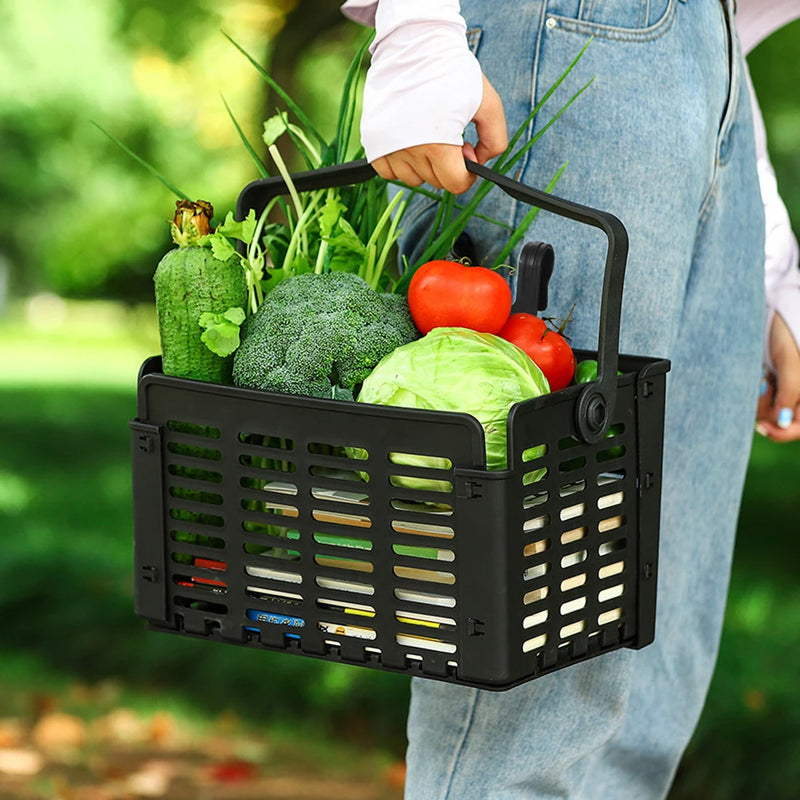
(320, 335)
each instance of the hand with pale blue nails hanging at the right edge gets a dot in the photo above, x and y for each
(778, 415)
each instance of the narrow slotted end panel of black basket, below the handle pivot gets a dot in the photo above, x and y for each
(589, 526)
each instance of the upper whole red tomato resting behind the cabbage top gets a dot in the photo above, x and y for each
(444, 294)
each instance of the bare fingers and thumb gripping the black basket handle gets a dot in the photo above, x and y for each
(442, 165)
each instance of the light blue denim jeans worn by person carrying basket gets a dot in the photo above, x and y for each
(663, 139)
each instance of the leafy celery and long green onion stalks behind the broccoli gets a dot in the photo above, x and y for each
(350, 228)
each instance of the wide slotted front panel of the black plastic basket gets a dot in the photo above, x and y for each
(323, 527)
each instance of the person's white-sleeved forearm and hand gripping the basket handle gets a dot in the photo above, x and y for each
(423, 87)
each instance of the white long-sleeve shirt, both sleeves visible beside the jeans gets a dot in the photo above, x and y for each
(424, 86)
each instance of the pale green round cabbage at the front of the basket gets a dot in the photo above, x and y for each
(457, 369)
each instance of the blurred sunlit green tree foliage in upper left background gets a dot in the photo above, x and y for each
(80, 218)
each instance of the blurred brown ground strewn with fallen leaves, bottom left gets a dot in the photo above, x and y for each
(126, 755)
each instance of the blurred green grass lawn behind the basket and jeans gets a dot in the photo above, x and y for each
(67, 391)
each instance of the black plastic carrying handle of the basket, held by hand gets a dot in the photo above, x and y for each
(595, 406)
